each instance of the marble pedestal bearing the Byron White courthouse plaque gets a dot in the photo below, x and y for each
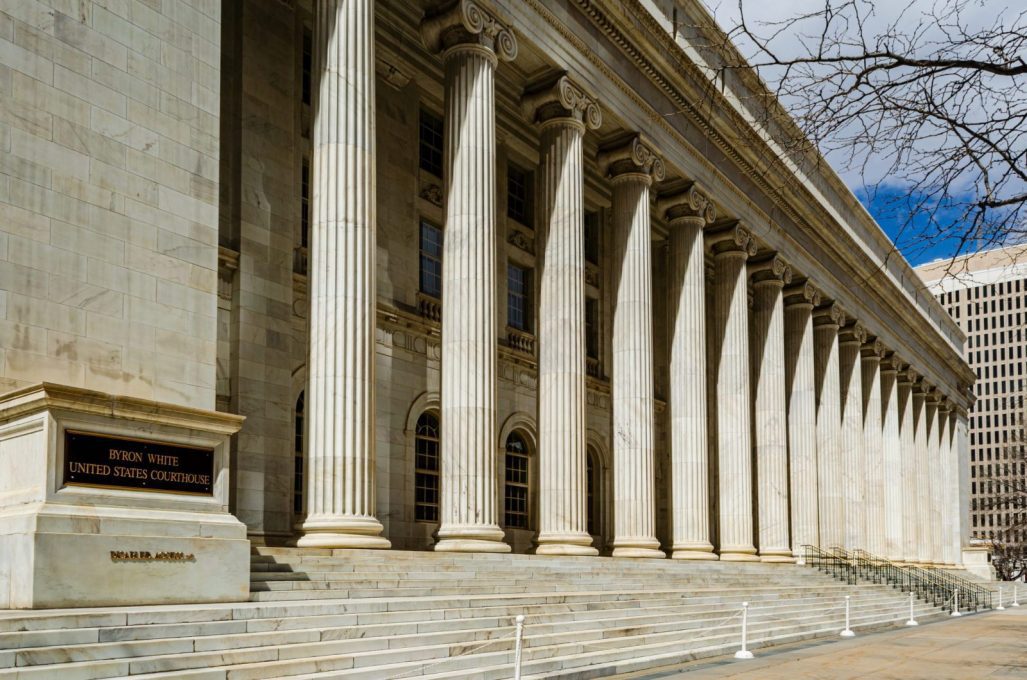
(112, 501)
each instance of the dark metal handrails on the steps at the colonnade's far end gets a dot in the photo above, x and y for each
(933, 586)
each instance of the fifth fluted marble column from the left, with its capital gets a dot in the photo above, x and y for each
(688, 214)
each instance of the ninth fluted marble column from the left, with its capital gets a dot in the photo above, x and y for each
(826, 323)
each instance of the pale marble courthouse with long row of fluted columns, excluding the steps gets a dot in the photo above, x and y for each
(480, 276)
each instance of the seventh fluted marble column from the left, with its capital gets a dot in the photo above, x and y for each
(771, 407)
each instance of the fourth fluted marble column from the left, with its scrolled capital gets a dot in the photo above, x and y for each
(634, 166)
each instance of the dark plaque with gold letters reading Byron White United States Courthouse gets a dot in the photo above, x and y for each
(117, 463)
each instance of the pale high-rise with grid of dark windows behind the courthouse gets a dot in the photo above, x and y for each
(986, 294)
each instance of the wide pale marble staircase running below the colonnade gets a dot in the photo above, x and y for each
(315, 614)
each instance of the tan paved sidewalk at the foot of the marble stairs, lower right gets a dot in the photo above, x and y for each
(986, 646)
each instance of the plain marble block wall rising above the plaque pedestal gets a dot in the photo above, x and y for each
(109, 196)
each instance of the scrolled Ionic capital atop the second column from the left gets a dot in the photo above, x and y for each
(468, 23)
